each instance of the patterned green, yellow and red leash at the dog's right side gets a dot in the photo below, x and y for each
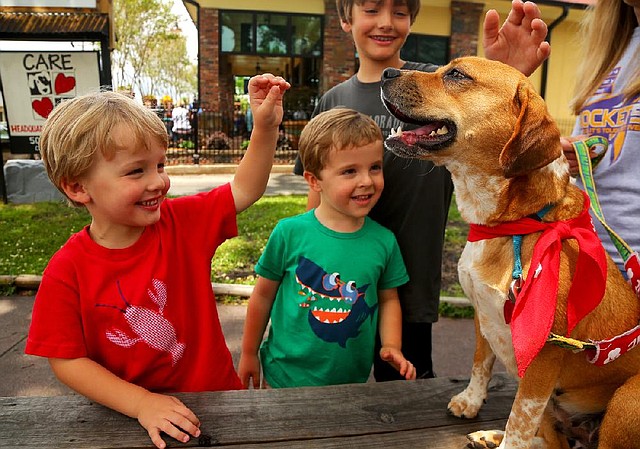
(605, 351)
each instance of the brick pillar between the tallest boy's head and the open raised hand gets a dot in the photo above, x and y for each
(465, 20)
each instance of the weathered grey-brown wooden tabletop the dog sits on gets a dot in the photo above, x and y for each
(372, 415)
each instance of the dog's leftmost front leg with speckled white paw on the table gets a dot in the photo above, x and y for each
(467, 403)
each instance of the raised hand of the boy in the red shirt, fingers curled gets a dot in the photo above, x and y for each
(265, 97)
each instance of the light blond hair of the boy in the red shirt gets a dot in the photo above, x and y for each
(79, 128)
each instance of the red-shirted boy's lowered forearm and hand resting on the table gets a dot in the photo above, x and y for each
(155, 412)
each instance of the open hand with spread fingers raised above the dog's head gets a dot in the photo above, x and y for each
(520, 41)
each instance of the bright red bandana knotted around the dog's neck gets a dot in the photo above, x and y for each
(535, 306)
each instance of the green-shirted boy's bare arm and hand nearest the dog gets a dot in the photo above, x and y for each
(390, 327)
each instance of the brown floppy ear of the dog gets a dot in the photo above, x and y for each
(535, 141)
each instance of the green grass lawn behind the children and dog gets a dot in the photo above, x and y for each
(31, 233)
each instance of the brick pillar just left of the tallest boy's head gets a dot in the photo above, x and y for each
(338, 62)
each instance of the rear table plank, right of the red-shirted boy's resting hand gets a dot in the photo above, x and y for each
(280, 415)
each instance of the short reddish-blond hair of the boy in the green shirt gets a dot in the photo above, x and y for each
(338, 128)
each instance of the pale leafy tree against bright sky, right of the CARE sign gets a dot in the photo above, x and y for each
(151, 52)
